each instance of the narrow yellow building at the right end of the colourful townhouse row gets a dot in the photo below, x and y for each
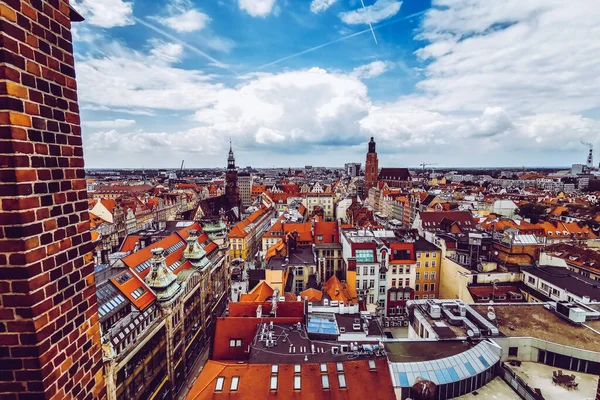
(427, 275)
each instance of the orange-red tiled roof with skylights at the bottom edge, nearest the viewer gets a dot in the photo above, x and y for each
(362, 382)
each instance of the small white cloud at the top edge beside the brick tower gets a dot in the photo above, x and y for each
(105, 13)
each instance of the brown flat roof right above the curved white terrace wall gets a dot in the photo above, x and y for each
(534, 320)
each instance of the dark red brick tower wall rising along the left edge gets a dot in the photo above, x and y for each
(49, 332)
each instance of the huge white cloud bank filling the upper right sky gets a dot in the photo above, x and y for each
(500, 77)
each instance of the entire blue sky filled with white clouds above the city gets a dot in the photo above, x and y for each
(297, 82)
